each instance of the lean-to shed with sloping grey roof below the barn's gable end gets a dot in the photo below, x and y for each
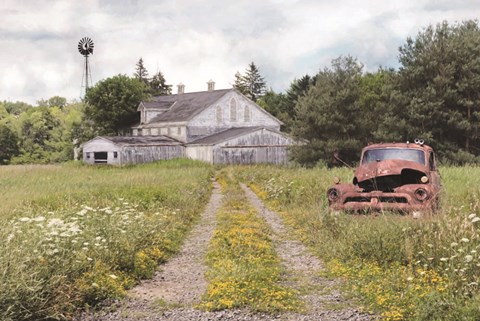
(241, 145)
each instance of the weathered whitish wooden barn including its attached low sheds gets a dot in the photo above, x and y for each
(216, 126)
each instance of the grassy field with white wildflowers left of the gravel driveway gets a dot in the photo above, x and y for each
(74, 235)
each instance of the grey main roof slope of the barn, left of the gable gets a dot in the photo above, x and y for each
(182, 107)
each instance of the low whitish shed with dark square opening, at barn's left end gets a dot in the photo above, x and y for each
(121, 150)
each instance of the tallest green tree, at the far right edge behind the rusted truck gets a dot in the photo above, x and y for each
(438, 87)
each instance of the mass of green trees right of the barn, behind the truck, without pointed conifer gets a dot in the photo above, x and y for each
(434, 95)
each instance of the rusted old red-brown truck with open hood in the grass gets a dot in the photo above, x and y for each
(395, 176)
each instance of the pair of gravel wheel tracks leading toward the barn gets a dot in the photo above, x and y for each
(178, 286)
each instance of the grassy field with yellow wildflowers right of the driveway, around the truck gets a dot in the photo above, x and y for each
(401, 268)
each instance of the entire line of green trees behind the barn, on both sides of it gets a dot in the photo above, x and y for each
(433, 95)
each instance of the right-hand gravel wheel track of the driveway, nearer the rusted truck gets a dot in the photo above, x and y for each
(323, 301)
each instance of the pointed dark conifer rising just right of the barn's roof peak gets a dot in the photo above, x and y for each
(251, 84)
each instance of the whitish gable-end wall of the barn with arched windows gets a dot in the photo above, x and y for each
(218, 117)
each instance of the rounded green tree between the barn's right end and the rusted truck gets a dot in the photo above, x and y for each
(329, 116)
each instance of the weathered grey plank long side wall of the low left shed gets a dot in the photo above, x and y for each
(146, 154)
